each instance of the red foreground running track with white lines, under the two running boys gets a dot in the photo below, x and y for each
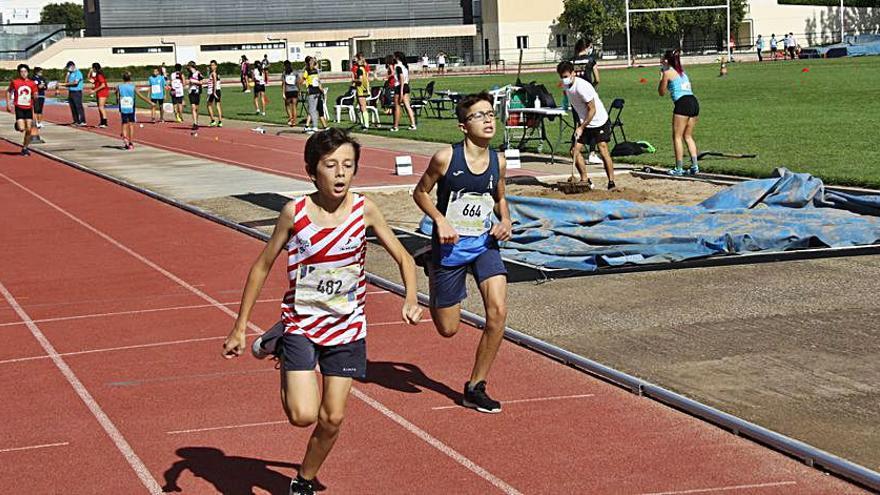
(113, 308)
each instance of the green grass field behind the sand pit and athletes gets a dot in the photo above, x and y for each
(824, 121)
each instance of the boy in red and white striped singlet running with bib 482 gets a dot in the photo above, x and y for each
(323, 310)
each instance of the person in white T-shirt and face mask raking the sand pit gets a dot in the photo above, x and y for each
(594, 126)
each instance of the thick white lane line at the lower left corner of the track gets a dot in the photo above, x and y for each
(121, 443)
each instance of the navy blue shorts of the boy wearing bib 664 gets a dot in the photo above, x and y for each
(448, 283)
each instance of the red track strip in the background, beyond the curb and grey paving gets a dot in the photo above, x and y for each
(276, 154)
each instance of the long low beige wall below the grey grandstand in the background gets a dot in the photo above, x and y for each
(84, 51)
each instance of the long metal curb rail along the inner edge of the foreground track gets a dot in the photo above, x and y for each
(809, 455)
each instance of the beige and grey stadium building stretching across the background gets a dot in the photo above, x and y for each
(136, 32)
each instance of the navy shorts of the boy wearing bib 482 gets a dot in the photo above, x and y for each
(301, 354)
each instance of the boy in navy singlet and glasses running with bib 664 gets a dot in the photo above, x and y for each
(470, 188)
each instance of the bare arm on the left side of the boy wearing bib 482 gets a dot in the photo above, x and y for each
(235, 343)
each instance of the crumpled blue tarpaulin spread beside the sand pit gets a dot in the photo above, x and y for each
(787, 212)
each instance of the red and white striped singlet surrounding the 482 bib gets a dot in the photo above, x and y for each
(332, 247)
